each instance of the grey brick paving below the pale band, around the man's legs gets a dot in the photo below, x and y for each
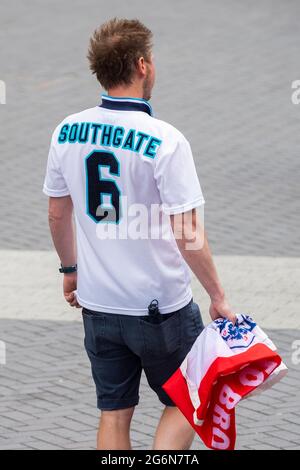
(47, 397)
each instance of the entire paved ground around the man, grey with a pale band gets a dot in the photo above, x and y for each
(224, 74)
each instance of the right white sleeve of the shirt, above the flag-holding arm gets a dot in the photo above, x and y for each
(177, 179)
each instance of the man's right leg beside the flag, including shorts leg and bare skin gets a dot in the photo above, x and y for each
(168, 343)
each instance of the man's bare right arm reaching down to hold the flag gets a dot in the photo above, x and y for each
(193, 245)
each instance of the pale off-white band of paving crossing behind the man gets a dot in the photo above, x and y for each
(267, 288)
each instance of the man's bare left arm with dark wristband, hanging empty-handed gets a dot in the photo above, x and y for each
(61, 225)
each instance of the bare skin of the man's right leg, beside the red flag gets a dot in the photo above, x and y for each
(174, 432)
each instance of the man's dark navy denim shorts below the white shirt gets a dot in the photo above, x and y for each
(121, 346)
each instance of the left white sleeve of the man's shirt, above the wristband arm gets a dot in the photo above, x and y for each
(54, 183)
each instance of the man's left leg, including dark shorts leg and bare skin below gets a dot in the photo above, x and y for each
(116, 370)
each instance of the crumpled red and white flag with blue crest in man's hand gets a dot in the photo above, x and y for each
(226, 363)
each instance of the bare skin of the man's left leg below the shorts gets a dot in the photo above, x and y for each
(114, 430)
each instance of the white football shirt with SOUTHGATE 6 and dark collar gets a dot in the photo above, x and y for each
(126, 172)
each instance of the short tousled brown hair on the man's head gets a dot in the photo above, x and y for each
(115, 49)
